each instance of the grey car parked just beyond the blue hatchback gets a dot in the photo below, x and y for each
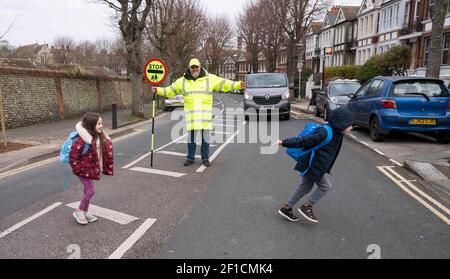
(334, 95)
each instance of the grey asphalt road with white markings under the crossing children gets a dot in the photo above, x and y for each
(226, 211)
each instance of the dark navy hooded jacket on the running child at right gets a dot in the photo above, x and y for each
(326, 156)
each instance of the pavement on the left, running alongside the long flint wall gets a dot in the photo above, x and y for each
(48, 137)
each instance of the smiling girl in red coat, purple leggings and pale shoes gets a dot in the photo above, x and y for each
(87, 166)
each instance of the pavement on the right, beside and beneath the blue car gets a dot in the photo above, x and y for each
(420, 154)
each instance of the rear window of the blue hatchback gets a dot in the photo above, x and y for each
(410, 88)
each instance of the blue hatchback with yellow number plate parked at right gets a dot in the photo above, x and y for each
(408, 104)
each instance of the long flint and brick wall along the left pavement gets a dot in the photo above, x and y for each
(33, 96)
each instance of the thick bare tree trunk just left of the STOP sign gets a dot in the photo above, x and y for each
(131, 16)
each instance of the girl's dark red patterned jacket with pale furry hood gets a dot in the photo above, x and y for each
(88, 165)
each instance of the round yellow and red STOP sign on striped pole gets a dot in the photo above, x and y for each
(155, 73)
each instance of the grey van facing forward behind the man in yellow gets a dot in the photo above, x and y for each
(267, 92)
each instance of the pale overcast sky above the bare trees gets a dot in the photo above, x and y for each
(42, 20)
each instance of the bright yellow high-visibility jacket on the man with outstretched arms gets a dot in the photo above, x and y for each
(198, 97)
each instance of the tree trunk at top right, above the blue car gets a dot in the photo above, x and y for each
(438, 14)
